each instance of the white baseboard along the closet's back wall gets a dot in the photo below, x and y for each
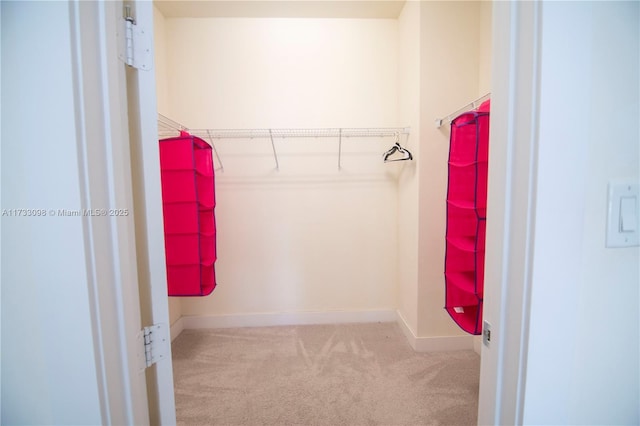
(286, 318)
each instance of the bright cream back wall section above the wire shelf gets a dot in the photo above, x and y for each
(246, 73)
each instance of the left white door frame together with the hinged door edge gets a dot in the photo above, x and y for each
(119, 161)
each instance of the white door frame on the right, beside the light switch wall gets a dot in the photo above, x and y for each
(511, 207)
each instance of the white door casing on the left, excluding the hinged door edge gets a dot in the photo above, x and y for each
(104, 165)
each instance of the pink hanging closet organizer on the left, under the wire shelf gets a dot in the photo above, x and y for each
(188, 202)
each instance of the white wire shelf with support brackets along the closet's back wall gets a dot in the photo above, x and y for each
(170, 128)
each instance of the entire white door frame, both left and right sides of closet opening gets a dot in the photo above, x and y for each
(116, 303)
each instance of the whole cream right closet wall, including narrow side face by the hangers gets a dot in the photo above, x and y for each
(445, 58)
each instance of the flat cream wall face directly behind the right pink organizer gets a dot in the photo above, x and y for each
(450, 58)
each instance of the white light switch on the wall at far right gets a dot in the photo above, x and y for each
(623, 215)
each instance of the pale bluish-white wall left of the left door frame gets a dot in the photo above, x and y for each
(48, 361)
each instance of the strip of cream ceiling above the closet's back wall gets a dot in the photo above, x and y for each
(371, 9)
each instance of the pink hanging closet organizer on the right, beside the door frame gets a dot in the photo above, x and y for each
(466, 218)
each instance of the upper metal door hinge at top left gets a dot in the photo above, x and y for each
(134, 42)
